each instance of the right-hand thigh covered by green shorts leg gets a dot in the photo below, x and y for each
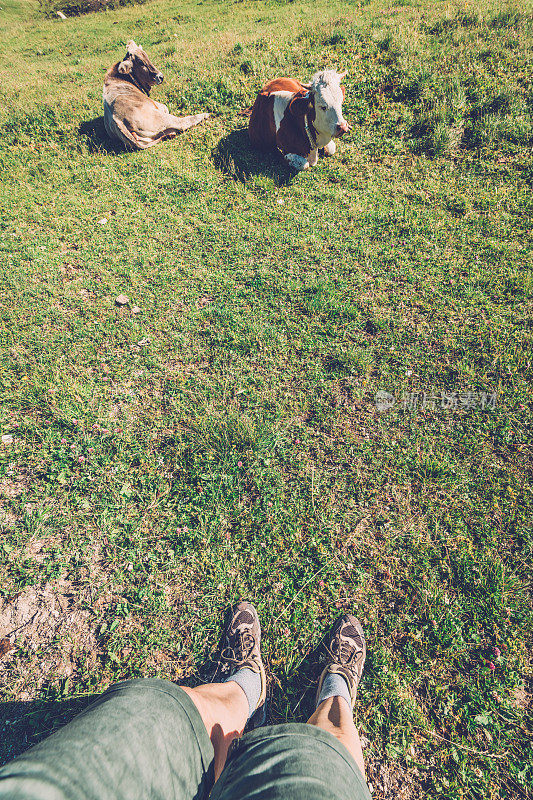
(296, 761)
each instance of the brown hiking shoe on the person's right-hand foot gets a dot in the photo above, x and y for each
(346, 648)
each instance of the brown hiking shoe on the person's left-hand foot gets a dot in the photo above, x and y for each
(241, 649)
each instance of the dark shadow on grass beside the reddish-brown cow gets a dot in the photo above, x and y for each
(235, 157)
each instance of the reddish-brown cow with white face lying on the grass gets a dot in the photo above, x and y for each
(299, 119)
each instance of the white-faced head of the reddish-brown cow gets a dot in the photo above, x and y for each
(326, 96)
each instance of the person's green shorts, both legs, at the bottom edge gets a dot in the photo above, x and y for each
(144, 739)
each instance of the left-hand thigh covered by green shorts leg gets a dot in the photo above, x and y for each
(141, 739)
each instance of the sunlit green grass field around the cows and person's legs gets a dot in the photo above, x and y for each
(225, 441)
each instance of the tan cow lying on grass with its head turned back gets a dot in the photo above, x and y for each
(129, 113)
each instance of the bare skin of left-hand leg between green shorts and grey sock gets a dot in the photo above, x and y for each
(224, 711)
